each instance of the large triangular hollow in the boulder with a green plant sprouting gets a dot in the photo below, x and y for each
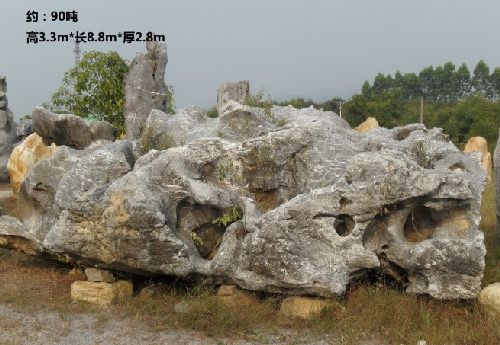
(204, 225)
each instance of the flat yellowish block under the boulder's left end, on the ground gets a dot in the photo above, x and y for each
(101, 293)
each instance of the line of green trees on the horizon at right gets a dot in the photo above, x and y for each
(464, 104)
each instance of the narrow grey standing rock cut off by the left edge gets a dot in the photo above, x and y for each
(7, 131)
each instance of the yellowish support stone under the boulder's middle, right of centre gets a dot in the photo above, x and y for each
(305, 307)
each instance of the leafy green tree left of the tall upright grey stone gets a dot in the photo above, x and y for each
(95, 88)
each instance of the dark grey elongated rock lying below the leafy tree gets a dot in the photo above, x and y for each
(70, 130)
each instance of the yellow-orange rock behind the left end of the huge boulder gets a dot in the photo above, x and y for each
(24, 156)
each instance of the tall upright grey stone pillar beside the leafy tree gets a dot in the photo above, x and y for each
(145, 87)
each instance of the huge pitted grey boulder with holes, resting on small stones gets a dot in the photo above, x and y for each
(285, 200)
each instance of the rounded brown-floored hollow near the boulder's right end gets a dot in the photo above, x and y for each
(419, 224)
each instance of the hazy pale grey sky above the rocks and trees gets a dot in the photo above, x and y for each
(313, 48)
